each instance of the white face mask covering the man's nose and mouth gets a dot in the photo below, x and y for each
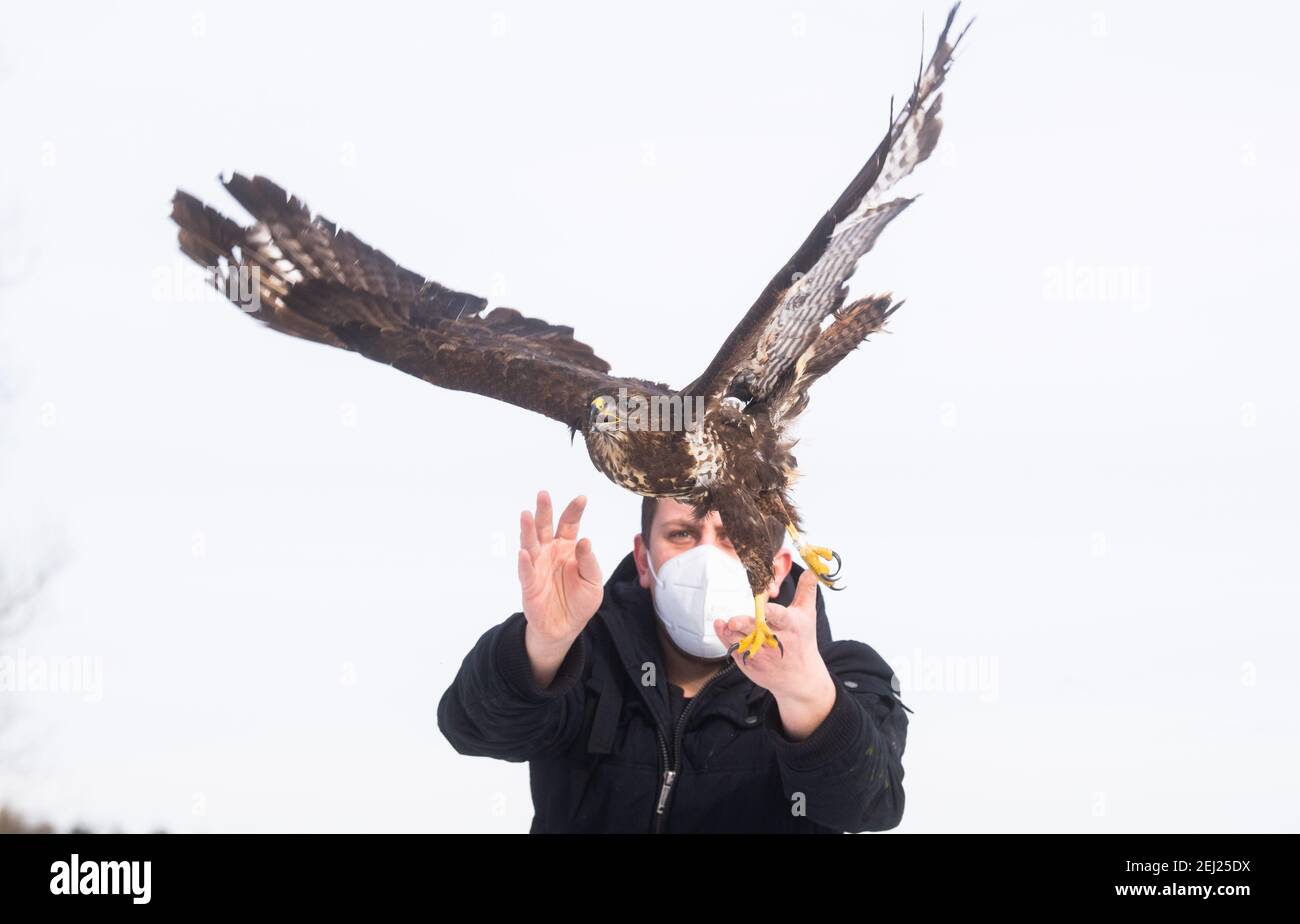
(696, 588)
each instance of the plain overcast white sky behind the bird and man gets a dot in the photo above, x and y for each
(1064, 488)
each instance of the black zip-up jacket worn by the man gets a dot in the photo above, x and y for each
(606, 754)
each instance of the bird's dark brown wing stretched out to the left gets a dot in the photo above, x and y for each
(300, 275)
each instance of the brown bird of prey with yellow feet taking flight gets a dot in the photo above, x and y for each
(300, 275)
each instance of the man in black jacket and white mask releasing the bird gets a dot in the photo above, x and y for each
(635, 718)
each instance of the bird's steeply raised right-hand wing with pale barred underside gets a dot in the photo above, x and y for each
(787, 319)
